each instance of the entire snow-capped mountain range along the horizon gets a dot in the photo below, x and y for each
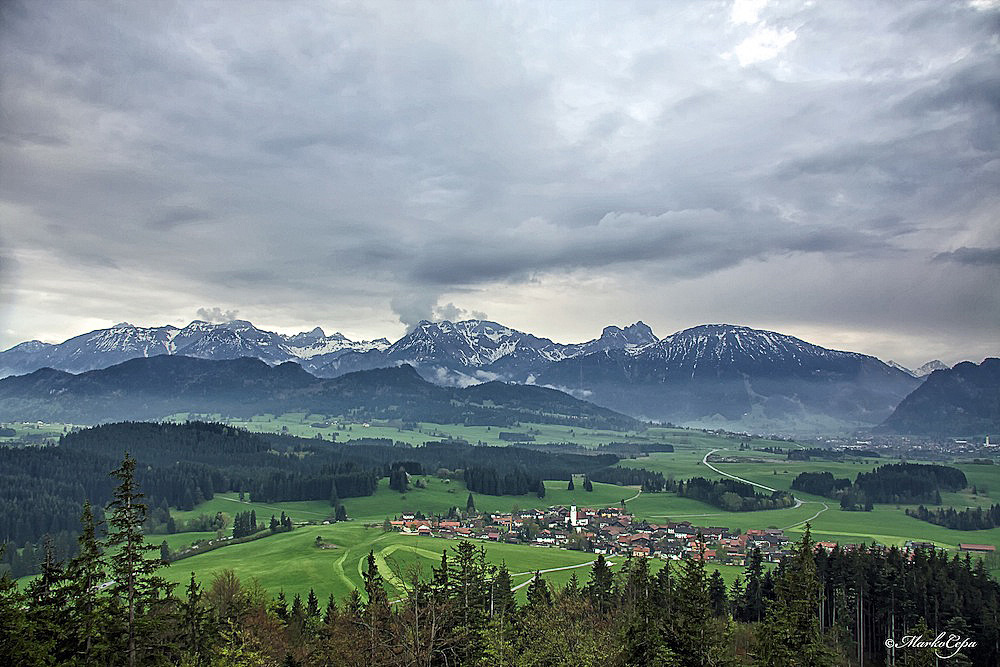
(717, 375)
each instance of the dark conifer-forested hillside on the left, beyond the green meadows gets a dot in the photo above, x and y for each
(182, 465)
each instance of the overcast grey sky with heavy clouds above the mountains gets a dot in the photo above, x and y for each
(825, 169)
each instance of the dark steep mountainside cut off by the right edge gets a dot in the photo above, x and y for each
(959, 401)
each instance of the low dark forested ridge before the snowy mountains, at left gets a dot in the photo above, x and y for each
(154, 387)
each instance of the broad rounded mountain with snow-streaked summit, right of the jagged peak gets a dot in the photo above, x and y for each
(737, 377)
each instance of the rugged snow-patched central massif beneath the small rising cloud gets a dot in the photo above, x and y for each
(477, 350)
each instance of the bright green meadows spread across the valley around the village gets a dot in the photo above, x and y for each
(292, 562)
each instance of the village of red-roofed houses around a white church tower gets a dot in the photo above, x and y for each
(609, 531)
